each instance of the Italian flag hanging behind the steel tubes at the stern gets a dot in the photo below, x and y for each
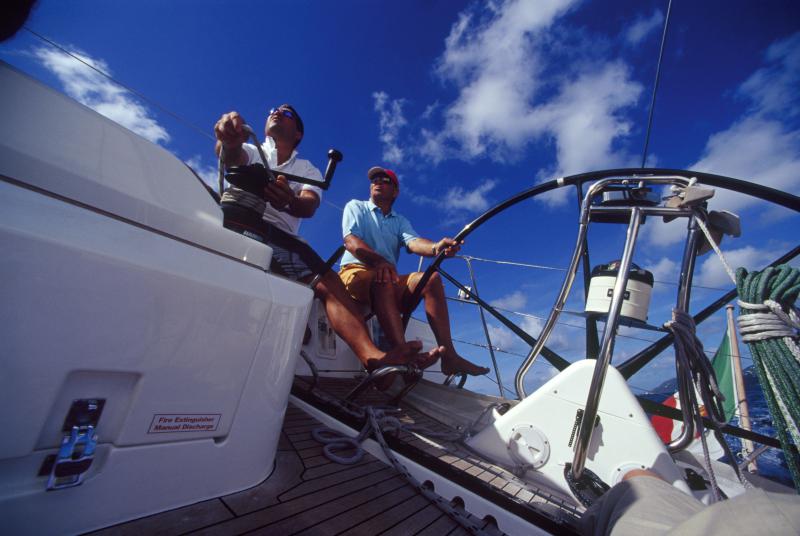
(668, 429)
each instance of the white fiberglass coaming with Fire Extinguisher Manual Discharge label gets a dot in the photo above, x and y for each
(120, 285)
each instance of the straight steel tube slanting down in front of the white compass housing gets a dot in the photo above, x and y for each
(607, 346)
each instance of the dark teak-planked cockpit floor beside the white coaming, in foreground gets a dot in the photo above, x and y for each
(309, 494)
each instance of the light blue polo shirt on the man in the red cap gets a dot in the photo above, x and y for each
(384, 234)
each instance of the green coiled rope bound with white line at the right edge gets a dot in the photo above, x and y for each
(768, 323)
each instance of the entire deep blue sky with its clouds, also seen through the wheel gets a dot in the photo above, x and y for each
(469, 103)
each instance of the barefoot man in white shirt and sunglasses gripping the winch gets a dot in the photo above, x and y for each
(275, 219)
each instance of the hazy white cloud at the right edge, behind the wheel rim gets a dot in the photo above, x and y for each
(758, 146)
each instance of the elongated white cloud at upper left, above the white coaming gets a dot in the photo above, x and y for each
(99, 93)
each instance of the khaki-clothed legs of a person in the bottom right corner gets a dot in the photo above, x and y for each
(644, 504)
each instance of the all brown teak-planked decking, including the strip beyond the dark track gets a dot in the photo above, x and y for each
(308, 494)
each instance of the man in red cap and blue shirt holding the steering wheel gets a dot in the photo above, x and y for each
(373, 234)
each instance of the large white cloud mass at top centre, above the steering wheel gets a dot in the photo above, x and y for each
(495, 56)
